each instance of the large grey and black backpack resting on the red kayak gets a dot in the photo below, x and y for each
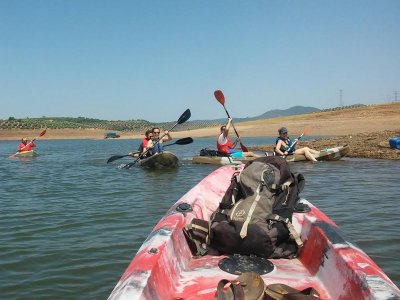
(254, 216)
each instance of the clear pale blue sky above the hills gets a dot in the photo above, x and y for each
(153, 59)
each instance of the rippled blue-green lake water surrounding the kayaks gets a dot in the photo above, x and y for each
(70, 223)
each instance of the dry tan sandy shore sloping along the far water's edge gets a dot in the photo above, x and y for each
(365, 129)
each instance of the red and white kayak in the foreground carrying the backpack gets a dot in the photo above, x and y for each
(164, 267)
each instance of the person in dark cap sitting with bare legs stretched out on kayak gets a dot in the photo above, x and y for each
(285, 146)
